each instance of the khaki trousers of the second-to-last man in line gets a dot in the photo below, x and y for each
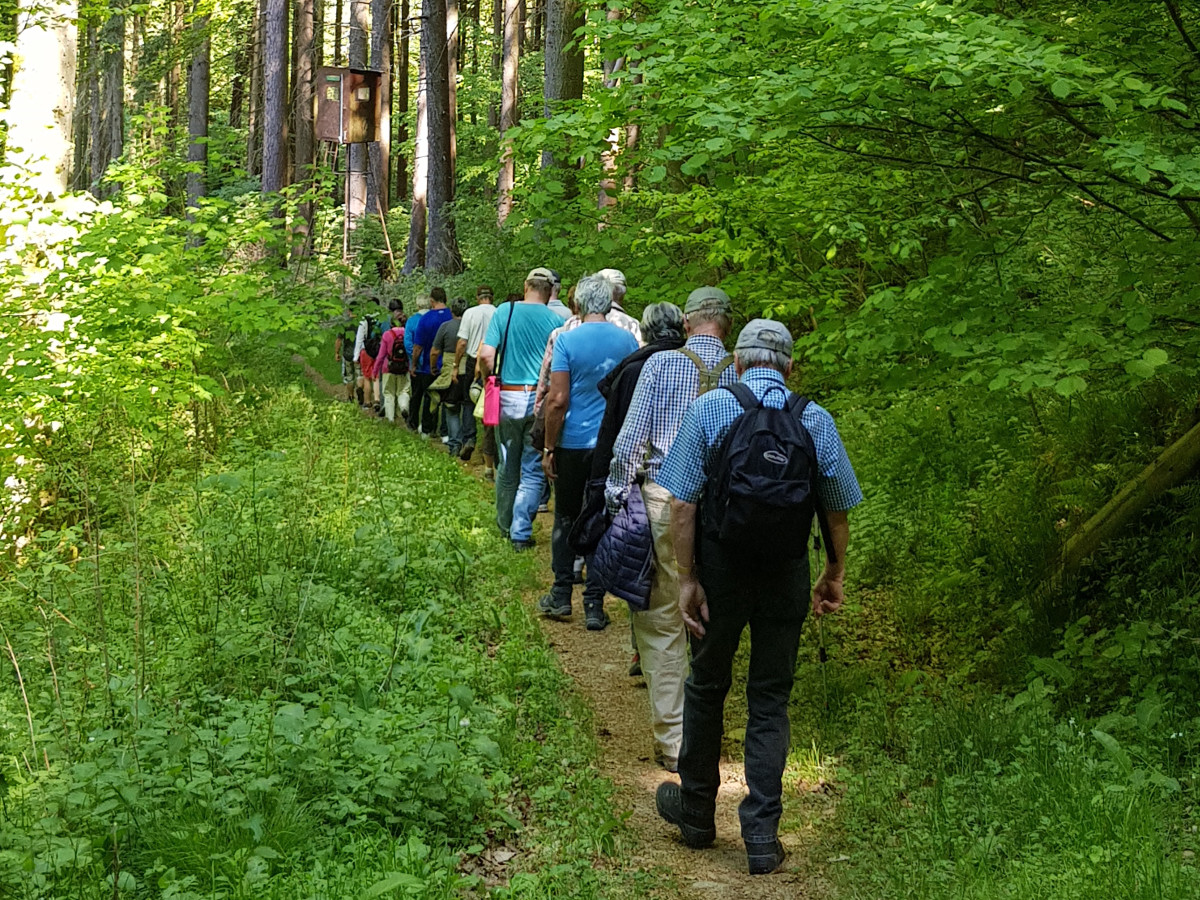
(659, 632)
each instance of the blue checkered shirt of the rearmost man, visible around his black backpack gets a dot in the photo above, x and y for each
(698, 445)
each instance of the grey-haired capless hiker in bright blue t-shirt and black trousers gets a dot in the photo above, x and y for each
(574, 410)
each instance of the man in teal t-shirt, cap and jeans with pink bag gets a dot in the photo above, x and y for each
(513, 349)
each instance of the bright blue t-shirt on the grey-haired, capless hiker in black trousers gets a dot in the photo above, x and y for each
(587, 355)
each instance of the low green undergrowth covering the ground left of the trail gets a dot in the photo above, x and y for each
(297, 667)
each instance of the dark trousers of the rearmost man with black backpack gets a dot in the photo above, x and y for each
(773, 602)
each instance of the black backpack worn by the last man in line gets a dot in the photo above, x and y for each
(763, 495)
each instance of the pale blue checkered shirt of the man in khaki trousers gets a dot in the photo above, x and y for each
(668, 386)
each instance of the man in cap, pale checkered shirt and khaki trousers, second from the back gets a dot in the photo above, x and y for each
(668, 386)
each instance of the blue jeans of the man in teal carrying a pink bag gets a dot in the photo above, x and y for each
(519, 476)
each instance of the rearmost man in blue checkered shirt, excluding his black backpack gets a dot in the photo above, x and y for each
(724, 596)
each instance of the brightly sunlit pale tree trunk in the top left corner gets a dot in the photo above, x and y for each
(44, 93)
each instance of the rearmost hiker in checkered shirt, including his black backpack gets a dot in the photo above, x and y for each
(758, 463)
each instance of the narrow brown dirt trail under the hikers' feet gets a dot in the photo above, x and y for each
(598, 664)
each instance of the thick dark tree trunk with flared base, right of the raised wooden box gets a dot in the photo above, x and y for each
(443, 251)
